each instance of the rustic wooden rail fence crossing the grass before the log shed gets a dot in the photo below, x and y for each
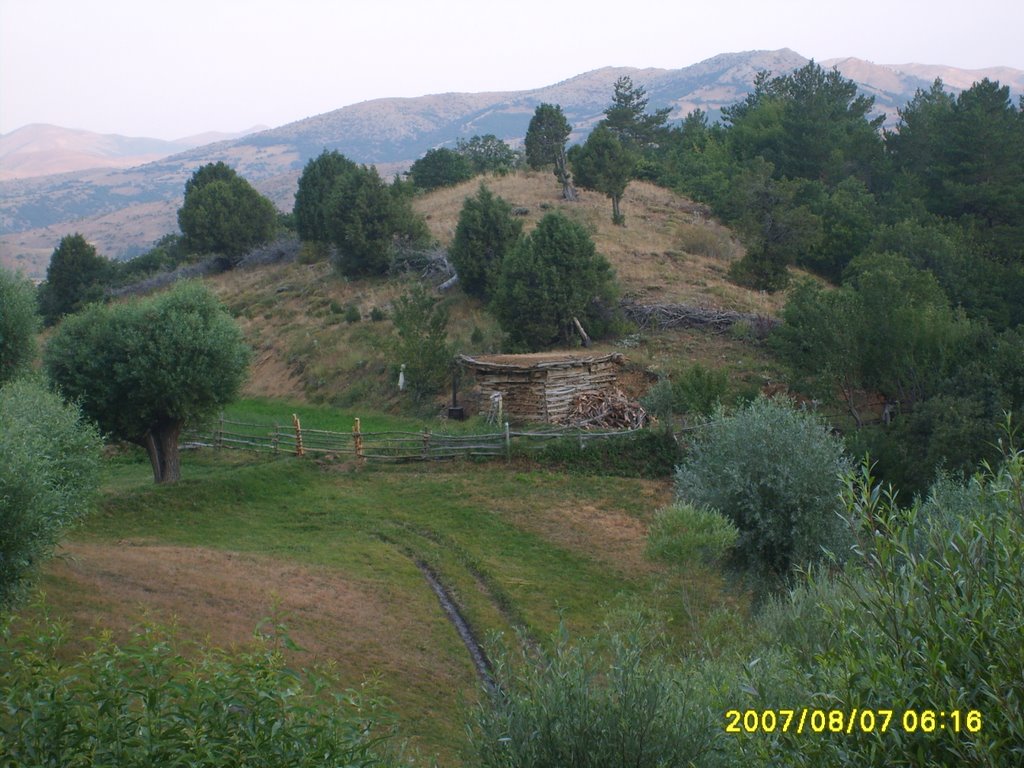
(298, 441)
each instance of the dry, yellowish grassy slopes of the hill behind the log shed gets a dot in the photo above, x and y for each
(670, 252)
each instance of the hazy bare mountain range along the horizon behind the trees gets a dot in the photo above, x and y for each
(130, 197)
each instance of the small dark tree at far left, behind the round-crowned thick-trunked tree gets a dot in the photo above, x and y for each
(76, 276)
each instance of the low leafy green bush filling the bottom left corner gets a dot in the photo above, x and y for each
(145, 704)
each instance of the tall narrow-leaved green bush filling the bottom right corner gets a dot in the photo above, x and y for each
(926, 621)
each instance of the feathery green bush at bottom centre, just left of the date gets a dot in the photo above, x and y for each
(601, 703)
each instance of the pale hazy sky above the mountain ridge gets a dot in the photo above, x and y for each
(172, 69)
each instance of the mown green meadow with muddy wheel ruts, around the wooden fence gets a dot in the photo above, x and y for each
(517, 545)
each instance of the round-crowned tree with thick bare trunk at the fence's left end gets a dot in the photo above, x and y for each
(146, 370)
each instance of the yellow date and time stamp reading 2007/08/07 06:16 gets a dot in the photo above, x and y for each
(806, 720)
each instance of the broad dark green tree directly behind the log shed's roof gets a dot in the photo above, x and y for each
(553, 276)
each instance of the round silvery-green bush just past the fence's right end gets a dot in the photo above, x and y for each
(776, 473)
